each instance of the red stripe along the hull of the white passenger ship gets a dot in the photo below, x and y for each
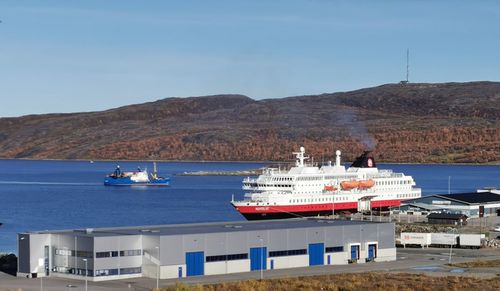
(312, 207)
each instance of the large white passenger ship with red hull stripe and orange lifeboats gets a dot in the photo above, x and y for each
(308, 190)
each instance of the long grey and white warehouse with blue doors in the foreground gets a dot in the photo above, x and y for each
(174, 251)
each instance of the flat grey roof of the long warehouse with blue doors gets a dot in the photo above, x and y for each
(204, 228)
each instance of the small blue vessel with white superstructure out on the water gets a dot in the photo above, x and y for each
(137, 178)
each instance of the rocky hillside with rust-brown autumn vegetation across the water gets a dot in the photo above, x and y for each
(451, 122)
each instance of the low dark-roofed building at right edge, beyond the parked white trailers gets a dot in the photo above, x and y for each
(475, 204)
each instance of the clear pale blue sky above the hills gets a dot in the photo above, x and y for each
(72, 56)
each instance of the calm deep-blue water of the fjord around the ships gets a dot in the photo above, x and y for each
(40, 195)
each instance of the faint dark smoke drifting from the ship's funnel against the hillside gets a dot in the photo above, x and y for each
(357, 129)
